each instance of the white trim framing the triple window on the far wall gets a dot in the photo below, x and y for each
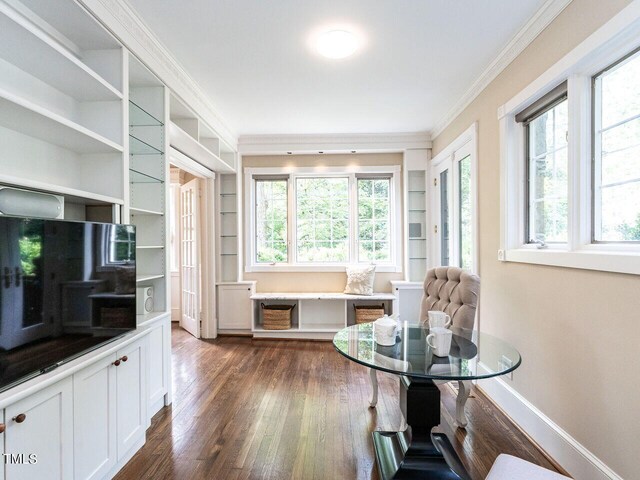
(392, 171)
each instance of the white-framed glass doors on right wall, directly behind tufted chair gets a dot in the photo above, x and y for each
(453, 206)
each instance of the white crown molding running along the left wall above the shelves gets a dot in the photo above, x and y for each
(125, 24)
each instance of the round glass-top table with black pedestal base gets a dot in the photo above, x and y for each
(417, 452)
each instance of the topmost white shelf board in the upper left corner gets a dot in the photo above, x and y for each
(34, 51)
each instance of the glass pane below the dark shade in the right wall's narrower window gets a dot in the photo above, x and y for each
(548, 176)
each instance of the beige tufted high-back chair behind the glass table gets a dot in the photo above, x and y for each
(455, 292)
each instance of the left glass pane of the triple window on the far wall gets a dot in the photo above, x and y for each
(271, 221)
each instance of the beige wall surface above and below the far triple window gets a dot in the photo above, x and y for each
(318, 282)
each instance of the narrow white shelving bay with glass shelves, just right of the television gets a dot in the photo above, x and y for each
(148, 174)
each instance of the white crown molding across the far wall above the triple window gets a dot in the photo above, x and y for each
(332, 143)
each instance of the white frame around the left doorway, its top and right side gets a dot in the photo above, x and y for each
(208, 328)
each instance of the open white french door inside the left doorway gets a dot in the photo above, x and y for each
(190, 256)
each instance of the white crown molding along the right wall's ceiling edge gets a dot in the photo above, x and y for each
(527, 34)
